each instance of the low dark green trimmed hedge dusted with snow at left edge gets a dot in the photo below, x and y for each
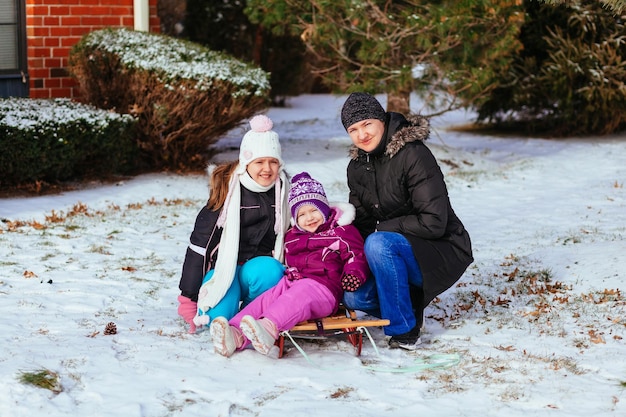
(58, 140)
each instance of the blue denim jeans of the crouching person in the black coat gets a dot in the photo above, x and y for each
(386, 294)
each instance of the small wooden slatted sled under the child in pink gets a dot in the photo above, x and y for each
(343, 323)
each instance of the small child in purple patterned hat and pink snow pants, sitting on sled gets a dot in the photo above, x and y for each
(324, 256)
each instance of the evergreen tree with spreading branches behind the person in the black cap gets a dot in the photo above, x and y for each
(400, 46)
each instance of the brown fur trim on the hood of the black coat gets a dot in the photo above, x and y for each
(402, 131)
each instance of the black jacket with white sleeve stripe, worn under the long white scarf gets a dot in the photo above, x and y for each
(256, 238)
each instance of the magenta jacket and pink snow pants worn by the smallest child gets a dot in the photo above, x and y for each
(321, 259)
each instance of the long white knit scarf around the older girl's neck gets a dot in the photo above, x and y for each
(214, 289)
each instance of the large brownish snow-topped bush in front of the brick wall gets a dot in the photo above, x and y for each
(184, 95)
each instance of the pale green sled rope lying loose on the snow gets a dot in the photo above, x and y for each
(435, 361)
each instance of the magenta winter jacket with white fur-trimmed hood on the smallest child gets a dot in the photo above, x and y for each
(334, 250)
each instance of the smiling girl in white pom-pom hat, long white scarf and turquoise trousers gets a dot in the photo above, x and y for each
(236, 247)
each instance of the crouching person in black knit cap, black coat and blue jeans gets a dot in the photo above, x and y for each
(415, 244)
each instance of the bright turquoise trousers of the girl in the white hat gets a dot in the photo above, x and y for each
(252, 279)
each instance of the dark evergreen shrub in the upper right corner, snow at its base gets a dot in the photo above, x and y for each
(570, 78)
